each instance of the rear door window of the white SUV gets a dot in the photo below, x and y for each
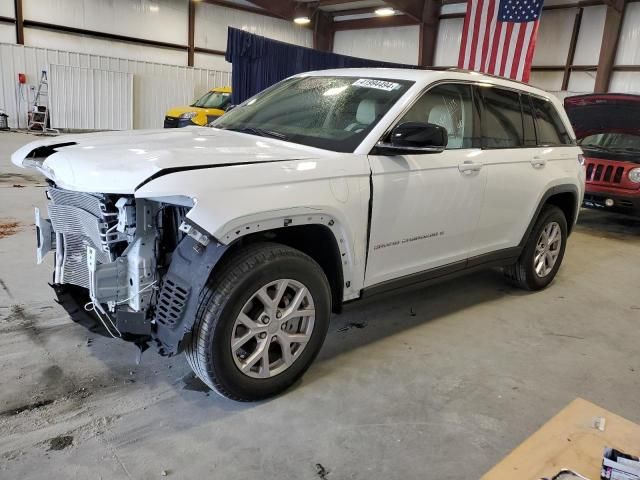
(502, 125)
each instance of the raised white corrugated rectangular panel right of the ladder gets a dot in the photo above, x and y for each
(89, 98)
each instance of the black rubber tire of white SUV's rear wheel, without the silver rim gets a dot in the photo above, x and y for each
(522, 274)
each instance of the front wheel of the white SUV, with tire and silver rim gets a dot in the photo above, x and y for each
(261, 322)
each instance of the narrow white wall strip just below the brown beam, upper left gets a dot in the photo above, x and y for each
(95, 46)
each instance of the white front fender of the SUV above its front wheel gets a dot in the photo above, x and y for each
(236, 200)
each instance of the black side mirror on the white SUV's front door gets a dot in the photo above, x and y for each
(414, 138)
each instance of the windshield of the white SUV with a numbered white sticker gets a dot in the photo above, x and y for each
(333, 113)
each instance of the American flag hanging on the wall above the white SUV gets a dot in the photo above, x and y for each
(499, 37)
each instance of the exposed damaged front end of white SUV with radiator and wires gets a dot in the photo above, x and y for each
(111, 254)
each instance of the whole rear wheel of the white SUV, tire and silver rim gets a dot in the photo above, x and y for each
(541, 258)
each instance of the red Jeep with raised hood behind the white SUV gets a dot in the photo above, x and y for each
(608, 130)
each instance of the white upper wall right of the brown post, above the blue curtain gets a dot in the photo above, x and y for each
(212, 22)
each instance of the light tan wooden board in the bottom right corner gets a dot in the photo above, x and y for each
(569, 440)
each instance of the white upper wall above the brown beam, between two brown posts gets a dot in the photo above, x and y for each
(162, 20)
